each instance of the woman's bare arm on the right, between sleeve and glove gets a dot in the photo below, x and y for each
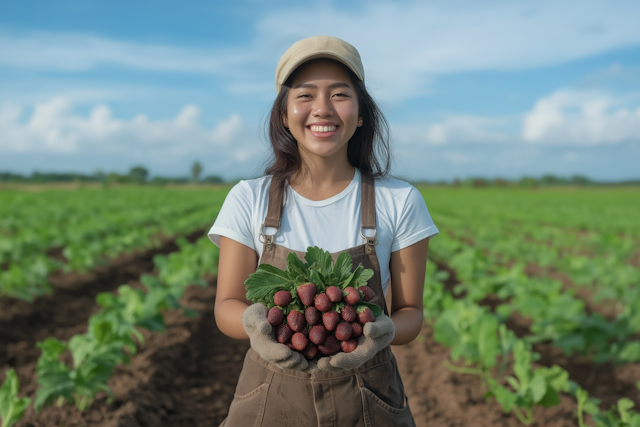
(408, 267)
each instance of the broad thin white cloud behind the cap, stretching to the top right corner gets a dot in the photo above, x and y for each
(403, 45)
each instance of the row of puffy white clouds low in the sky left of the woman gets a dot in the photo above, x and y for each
(54, 127)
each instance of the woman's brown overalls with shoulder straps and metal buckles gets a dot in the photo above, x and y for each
(371, 395)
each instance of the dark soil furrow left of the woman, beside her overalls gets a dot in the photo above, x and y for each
(185, 376)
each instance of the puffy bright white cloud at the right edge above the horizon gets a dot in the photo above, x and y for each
(582, 118)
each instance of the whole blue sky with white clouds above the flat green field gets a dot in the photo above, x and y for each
(491, 88)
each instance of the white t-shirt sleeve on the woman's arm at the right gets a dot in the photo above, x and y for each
(414, 223)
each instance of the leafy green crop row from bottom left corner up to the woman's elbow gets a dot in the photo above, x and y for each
(113, 333)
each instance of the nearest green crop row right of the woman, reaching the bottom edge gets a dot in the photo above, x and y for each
(484, 345)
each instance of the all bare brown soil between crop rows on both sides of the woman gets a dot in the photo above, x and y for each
(187, 376)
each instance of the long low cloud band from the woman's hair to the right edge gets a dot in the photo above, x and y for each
(566, 117)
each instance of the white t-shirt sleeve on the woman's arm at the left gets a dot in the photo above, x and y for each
(234, 219)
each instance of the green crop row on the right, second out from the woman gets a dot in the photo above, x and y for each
(557, 316)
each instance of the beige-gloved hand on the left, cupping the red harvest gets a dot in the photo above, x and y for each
(262, 337)
